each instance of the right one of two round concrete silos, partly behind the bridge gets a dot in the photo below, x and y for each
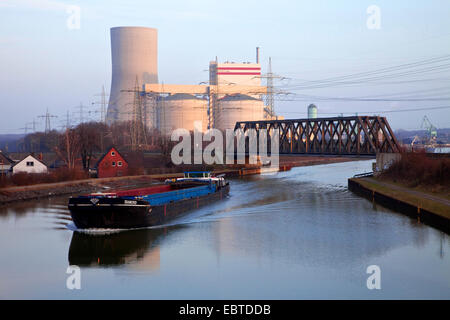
(237, 107)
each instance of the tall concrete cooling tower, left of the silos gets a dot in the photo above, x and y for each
(134, 56)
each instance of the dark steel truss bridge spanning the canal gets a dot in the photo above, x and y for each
(356, 135)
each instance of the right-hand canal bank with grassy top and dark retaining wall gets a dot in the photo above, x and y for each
(427, 208)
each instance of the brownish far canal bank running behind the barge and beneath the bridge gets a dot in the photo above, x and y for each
(38, 191)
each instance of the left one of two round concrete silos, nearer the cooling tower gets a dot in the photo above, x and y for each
(184, 111)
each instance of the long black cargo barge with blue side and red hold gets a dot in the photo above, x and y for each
(145, 207)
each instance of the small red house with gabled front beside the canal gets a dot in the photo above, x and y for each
(112, 164)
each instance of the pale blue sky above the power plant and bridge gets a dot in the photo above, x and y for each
(344, 56)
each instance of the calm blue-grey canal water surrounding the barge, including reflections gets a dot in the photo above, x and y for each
(290, 235)
